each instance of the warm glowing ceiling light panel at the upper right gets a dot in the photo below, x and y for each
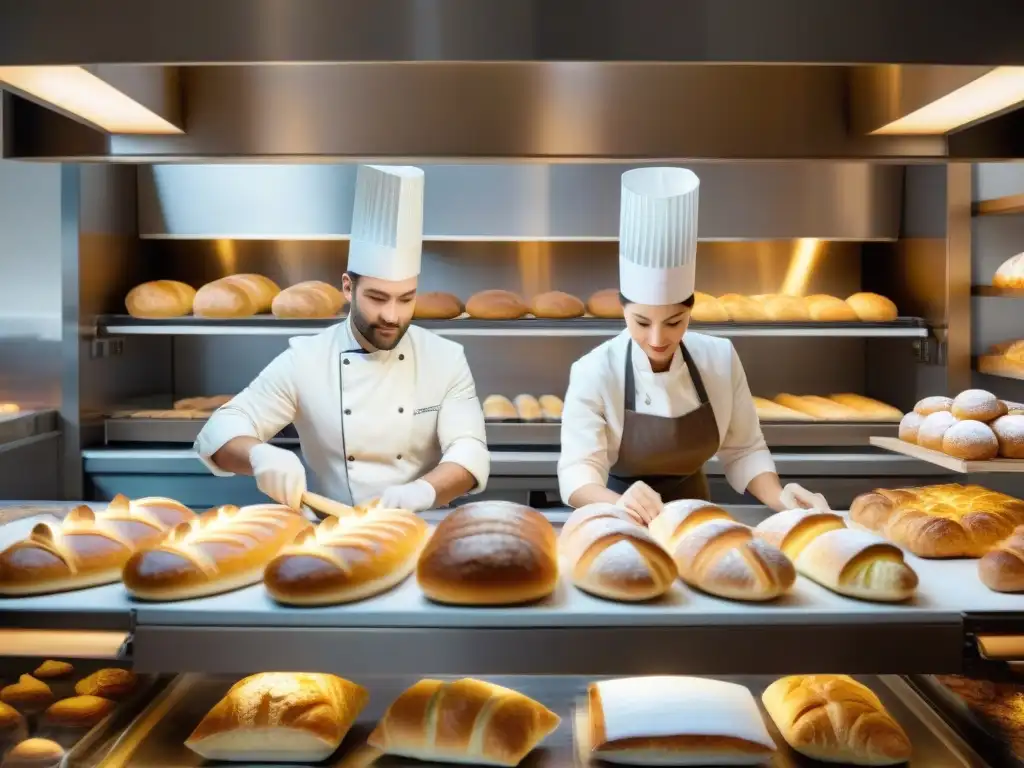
(990, 95)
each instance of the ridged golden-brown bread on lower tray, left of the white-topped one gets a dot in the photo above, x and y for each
(463, 721)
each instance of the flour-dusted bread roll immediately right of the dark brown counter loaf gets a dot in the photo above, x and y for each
(611, 556)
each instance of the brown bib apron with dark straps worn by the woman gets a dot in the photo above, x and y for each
(666, 453)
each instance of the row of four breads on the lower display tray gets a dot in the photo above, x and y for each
(632, 721)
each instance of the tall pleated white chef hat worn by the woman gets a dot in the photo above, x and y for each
(658, 235)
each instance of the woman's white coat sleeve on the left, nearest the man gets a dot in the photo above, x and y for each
(584, 459)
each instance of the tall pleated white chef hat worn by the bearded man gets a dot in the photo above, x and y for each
(388, 223)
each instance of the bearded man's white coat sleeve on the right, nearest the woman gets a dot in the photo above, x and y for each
(461, 431)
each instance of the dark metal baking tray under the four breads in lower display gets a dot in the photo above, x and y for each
(157, 736)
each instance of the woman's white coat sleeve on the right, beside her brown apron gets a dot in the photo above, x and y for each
(744, 452)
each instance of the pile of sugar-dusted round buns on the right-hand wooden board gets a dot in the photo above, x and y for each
(975, 426)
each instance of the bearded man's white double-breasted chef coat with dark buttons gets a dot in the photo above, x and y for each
(366, 421)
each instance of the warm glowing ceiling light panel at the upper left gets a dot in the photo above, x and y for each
(81, 94)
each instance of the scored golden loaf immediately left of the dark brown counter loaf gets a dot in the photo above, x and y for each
(349, 559)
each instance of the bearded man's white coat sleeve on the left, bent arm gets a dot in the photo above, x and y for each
(261, 411)
